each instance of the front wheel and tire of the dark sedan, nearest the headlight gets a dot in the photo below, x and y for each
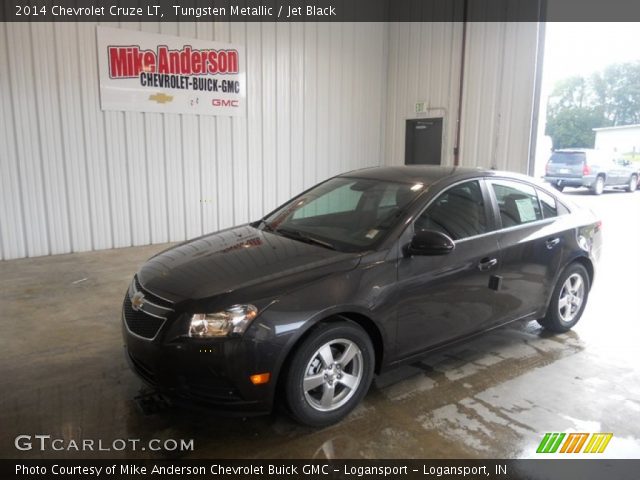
(329, 374)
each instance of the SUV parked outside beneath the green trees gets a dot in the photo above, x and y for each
(589, 168)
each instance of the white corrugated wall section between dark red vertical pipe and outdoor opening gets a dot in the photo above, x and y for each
(498, 95)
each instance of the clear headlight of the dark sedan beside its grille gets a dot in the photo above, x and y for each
(234, 319)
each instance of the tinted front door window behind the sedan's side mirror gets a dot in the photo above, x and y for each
(459, 212)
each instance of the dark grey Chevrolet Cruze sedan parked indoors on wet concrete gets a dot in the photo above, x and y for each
(356, 275)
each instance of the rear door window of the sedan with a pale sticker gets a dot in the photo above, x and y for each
(518, 203)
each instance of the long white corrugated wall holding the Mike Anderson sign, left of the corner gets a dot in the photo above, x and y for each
(75, 178)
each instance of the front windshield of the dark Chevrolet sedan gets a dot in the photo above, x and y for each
(346, 214)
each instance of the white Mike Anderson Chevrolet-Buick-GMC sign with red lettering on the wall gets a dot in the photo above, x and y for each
(149, 72)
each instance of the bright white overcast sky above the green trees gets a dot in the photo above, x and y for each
(583, 48)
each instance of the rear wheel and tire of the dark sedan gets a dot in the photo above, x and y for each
(568, 300)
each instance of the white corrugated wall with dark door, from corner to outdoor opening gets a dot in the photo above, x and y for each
(498, 89)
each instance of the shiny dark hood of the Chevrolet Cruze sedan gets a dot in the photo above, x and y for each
(244, 260)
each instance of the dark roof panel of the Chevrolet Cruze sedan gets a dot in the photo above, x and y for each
(426, 174)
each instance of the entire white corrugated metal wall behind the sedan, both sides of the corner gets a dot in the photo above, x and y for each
(322, 98)
